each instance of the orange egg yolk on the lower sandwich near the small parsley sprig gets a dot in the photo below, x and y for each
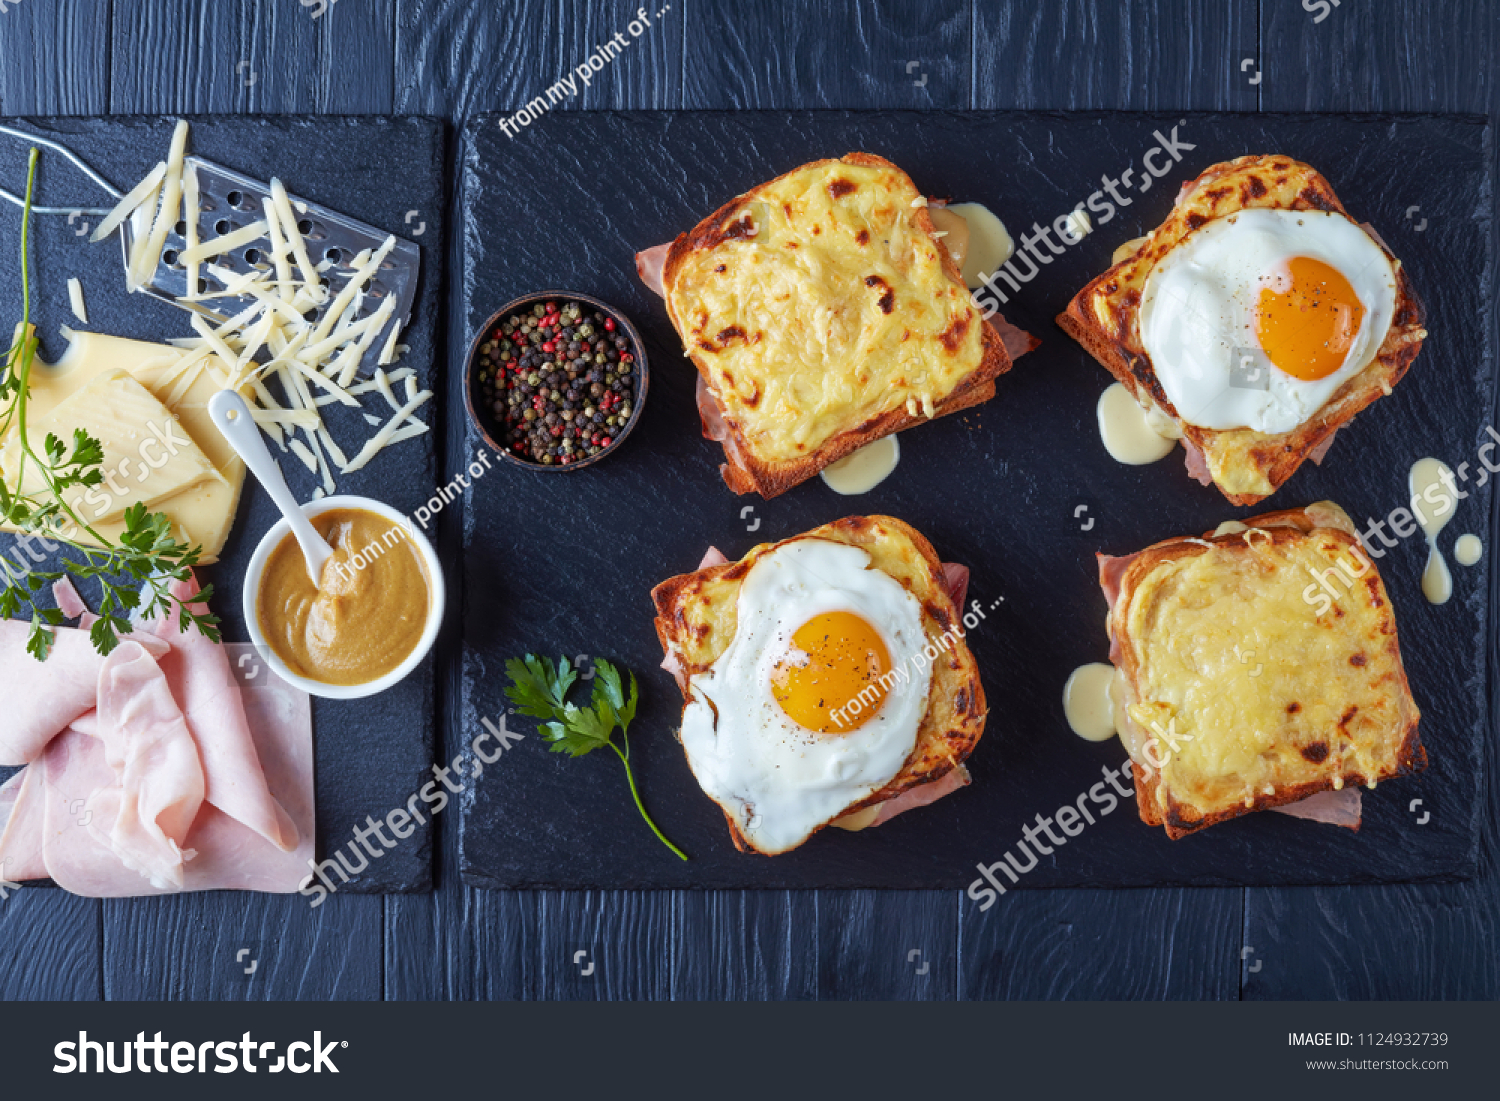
(830, 682)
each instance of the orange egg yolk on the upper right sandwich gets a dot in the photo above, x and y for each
(1307, 323)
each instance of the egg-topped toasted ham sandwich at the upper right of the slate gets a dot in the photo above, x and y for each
(1253, 323)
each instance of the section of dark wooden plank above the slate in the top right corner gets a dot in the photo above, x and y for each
(1408, 56)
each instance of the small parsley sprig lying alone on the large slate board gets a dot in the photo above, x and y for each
(539, 689)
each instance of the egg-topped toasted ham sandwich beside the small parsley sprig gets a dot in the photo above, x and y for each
(826, 680)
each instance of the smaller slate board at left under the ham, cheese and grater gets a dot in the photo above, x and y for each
(371, 754)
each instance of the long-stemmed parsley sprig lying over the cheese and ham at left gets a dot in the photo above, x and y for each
(137, 572)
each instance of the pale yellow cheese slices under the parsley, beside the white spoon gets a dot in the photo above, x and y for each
(202, 512)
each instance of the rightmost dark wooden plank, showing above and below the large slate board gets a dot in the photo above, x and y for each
(1387, 943)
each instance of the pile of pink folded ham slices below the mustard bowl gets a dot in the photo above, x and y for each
(170, 778)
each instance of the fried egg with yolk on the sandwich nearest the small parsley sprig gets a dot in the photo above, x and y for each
(817, 701)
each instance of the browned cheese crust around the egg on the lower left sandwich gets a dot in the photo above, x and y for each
(697, 616)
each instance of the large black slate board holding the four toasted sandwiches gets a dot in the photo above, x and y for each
(1021, 490)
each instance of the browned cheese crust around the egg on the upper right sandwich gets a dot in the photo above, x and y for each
(1105, 317)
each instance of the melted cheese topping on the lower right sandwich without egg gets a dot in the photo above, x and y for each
(1261, 683)
